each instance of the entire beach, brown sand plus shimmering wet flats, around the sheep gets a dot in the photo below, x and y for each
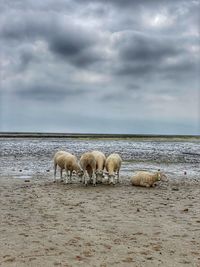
(54, 224)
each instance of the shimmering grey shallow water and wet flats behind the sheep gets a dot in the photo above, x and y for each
(33, 157)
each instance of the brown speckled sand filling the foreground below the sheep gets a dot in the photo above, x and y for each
(48, 224)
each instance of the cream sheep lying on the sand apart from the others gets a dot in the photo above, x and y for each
(147, 179)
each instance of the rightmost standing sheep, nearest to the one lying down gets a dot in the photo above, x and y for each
(113, 165)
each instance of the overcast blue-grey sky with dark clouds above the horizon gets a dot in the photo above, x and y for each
(98, 66)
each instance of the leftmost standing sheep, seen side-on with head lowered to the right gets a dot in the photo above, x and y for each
(67, 161)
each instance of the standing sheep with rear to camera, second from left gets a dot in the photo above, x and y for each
(88, 164)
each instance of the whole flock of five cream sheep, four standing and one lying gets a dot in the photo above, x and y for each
(92, 165)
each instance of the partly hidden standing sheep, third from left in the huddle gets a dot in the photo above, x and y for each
(100, 164)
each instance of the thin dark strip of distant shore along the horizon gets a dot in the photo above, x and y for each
(98, 136)
